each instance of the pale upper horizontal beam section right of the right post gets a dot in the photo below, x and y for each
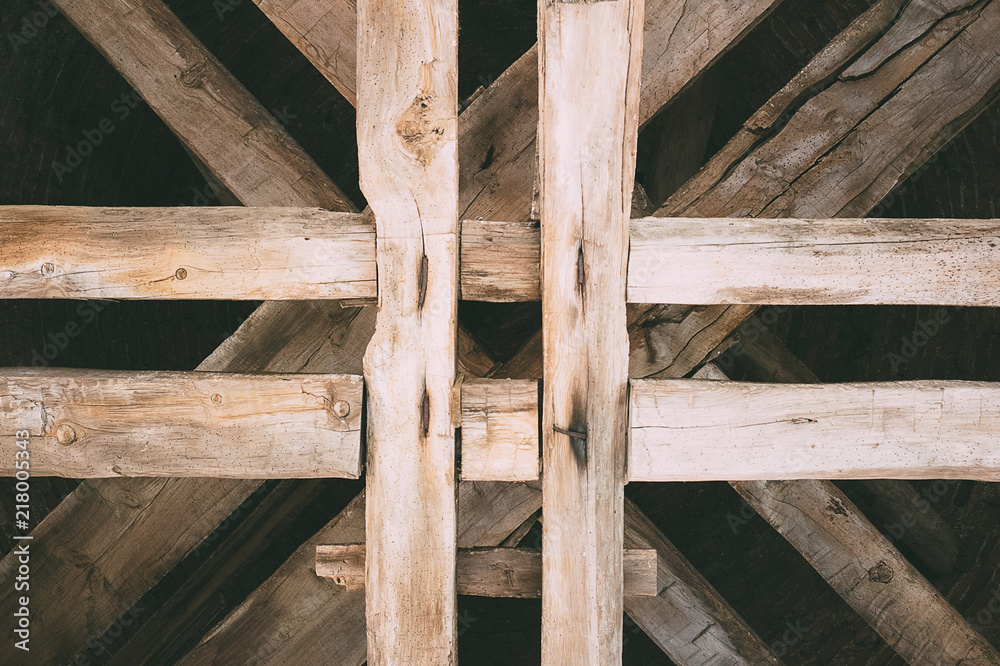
(815, 262)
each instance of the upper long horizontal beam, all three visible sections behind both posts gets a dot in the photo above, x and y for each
(308, 253)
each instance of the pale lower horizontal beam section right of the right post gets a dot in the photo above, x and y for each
(703, 430)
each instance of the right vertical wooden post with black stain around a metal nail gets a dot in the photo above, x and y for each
(589, 70)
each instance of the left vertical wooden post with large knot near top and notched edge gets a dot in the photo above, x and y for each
(407, 143)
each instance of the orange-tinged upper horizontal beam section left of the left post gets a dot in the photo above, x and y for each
(205, 252)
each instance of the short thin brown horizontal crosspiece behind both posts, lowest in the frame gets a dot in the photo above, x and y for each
(490, 572)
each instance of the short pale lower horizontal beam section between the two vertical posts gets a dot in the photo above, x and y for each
(499, 430)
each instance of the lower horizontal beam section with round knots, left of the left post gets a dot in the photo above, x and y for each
(88, 423)
